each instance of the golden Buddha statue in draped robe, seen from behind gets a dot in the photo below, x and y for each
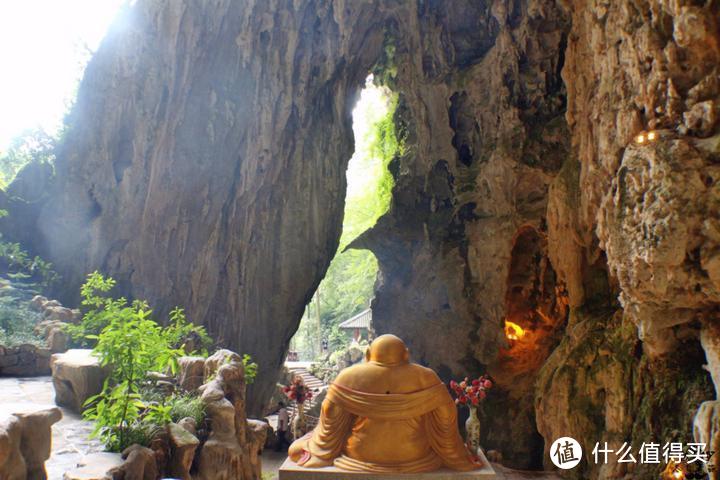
(386, 415)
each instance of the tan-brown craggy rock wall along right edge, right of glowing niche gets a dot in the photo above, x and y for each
(643, 209)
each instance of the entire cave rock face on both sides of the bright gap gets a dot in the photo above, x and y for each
(204, 166)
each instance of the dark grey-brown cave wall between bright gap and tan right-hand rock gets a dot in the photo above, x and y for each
(481, 112)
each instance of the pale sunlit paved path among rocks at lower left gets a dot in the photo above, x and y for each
(70, 435)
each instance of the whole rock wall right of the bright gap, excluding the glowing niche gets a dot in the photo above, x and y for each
(498, 143)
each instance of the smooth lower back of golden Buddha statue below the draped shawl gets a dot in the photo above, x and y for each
(388, 442)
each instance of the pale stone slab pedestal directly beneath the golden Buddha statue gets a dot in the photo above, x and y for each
(290, 471)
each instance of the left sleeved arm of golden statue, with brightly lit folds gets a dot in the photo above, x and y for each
(326, 442)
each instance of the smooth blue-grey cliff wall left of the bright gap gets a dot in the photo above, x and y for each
(193, 170)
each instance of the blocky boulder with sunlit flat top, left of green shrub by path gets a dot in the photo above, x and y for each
(77, 376)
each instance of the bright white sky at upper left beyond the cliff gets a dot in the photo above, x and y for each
(43, 51)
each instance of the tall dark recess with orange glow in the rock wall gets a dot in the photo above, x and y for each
(536, 311)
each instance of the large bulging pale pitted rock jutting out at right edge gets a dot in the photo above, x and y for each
(661, 232)
